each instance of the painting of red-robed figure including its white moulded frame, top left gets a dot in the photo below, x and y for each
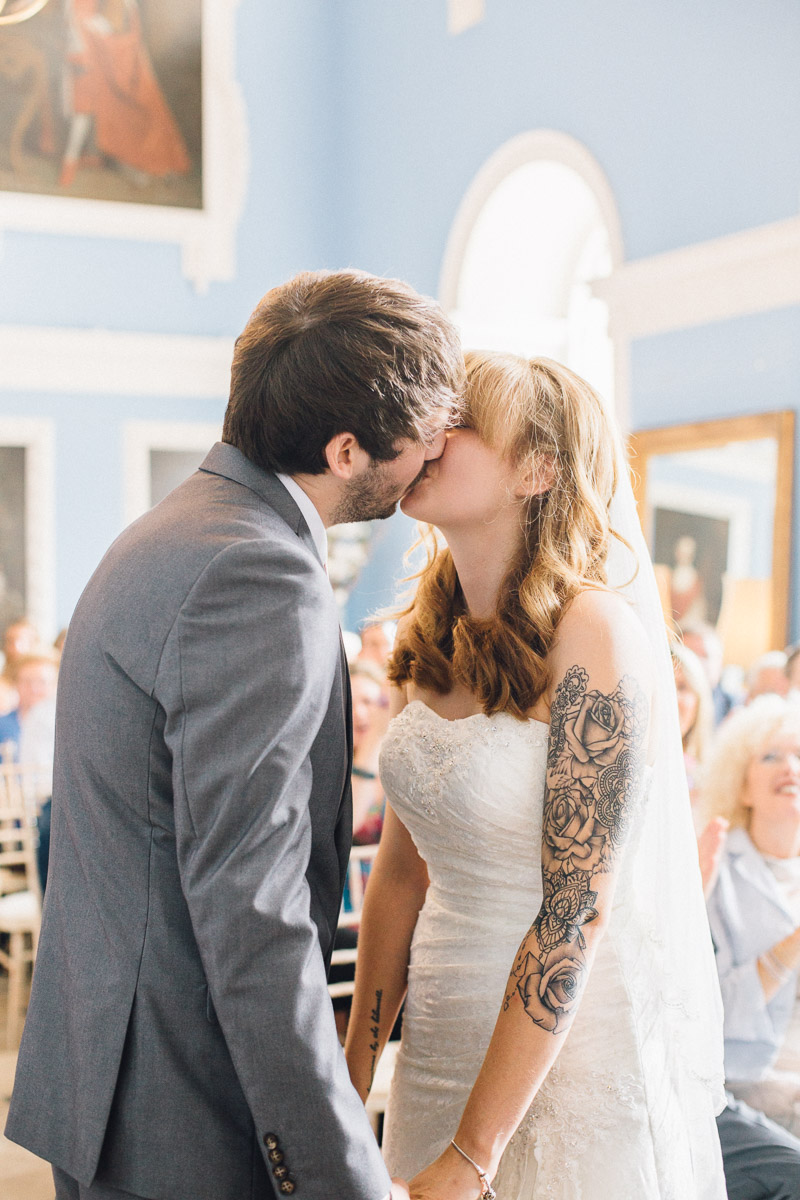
(110, 127)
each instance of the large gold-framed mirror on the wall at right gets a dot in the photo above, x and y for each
(715, 503)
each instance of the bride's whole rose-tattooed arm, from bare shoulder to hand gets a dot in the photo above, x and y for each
(600, 704)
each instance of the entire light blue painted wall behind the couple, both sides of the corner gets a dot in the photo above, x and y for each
(368, 123)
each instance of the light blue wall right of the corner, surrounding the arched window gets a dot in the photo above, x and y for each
(693, 111)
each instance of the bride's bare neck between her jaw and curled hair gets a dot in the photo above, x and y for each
(483, 557)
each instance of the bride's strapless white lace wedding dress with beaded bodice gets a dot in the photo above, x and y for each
(471, 794)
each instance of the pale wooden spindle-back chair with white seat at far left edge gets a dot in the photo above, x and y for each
(21, 910)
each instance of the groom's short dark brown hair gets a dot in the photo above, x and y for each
(340, 352)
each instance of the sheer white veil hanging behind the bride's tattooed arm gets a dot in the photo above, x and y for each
(666, 932)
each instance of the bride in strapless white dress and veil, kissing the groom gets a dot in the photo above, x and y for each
(537, 896)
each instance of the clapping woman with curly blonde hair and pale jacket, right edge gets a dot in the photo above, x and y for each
(754, 781)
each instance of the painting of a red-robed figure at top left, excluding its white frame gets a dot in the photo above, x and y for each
(104, 100)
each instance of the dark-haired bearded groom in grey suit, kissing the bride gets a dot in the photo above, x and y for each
(181, 1043)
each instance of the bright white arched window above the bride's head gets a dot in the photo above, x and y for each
(537, 227)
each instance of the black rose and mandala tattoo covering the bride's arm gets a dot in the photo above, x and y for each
(594, 778)
